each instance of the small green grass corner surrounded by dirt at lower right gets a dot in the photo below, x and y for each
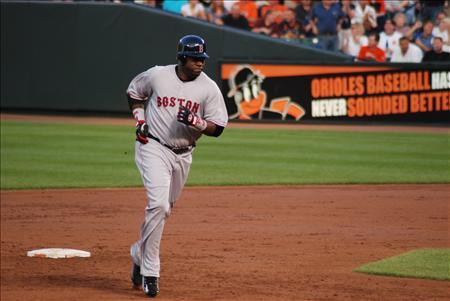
(424, 263)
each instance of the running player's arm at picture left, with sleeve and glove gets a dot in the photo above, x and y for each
(138, 93)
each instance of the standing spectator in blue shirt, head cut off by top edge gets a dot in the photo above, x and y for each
(325, 17)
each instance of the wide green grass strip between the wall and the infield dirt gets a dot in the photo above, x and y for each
(41, 155)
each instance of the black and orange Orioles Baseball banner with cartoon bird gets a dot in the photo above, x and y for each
(337, 92)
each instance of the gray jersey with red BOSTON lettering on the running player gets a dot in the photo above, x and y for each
(165, 93)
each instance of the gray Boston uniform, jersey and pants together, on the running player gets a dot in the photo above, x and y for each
(164, 172)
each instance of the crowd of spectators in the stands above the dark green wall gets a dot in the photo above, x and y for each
(368, 30)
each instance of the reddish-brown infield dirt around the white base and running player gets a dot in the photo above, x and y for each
(245, 243)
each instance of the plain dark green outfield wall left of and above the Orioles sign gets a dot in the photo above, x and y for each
(82, 56)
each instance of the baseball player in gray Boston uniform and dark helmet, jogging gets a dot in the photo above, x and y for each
(173, 106)
